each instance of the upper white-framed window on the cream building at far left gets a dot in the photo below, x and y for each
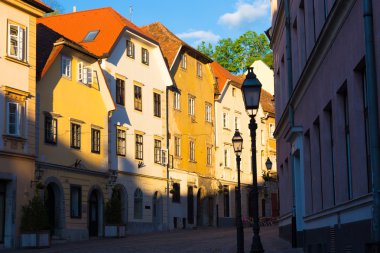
(16, 42)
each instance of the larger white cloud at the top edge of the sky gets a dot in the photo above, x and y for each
(246, 12)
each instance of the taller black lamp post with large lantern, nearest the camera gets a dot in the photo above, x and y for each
(251, 94)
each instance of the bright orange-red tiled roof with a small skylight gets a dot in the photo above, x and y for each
(109, 24)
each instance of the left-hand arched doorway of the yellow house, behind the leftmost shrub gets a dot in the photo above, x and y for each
(53, 198)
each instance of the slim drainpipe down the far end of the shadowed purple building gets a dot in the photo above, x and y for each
(291, 114)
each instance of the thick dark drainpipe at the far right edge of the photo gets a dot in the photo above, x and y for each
(372, 118)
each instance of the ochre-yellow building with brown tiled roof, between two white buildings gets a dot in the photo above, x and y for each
(191, 131)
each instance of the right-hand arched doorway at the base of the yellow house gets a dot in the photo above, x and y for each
(95, 213)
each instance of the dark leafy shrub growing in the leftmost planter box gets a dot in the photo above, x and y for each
(34, 216)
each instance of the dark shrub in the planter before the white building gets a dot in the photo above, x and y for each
(113, 208)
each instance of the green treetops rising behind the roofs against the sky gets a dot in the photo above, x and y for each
(237, 55)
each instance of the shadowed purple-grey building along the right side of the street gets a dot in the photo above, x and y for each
(325, 77)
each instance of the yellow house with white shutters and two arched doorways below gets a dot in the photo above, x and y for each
(73, 108)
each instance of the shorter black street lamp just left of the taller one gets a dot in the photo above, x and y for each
(237, 142)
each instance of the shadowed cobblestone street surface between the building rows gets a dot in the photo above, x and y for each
(208, 240)
